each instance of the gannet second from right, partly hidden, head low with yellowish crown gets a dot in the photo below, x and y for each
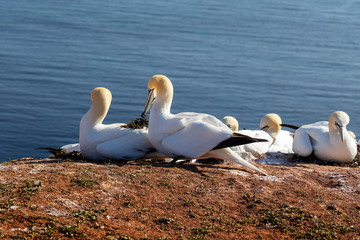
(283, 140)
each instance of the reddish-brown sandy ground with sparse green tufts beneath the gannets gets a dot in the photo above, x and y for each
(61, 199)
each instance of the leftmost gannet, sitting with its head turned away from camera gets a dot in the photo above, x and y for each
(100, 142)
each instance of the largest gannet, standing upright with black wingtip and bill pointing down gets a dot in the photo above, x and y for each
(189, 135)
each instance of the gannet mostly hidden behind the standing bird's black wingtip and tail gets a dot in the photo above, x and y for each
(253, 150)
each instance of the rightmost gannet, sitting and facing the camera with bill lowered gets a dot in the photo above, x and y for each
(329, 140)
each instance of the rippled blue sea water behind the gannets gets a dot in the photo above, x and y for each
(300, 59)
